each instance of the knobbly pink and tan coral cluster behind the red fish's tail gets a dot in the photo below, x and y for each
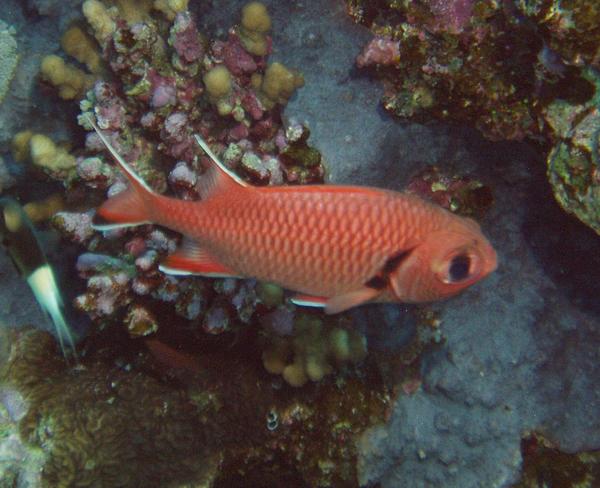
(168, 82)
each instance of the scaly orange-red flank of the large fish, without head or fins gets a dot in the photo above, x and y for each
(316, 260)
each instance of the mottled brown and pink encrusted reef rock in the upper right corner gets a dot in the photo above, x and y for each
(511, 69)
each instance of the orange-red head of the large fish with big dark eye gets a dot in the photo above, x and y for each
(444, 263)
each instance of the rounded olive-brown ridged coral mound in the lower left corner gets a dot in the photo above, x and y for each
(97, 424)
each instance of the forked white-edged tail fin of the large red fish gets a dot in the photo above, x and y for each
(133, 206)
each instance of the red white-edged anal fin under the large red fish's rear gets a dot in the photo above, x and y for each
(191, 259)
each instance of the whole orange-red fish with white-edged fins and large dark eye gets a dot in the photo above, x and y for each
(338, 246)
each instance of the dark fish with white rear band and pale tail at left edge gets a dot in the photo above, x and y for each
(23, 246)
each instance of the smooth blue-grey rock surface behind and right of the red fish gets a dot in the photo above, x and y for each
(522, 348)
